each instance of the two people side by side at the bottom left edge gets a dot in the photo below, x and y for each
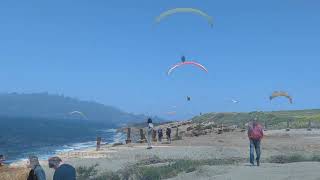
(63, 171)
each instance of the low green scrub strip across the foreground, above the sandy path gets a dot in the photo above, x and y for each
(145, 169)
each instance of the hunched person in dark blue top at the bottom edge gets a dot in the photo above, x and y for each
(62, 171)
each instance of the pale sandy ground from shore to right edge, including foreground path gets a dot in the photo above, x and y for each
(211, 146)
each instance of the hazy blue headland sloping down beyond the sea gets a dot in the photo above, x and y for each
(44, 105)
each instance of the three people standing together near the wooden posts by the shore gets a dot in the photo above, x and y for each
(150, 130)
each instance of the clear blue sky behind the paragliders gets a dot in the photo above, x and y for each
(112, 52)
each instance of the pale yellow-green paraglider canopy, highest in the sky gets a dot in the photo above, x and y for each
(184, 10)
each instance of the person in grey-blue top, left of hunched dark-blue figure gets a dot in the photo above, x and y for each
(36, 172)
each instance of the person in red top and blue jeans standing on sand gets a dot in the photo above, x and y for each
(255, 134)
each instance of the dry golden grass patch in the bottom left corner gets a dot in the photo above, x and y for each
(10, 173)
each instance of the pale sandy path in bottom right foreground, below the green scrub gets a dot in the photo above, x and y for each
(292, 171)
